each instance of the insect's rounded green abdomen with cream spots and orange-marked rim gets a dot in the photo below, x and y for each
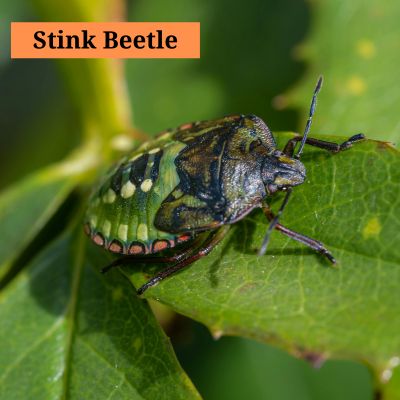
(121, 212)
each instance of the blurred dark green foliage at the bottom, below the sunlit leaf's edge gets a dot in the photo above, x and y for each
(245, 369)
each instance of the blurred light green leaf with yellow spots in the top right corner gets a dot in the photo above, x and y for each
(359, 62)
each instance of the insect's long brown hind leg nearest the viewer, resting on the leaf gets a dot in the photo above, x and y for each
(209, 243)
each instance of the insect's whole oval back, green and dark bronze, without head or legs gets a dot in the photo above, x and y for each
(172, 182)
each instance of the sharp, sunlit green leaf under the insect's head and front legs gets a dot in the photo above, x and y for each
(294, 297)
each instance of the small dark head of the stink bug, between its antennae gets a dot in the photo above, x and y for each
(281, 172)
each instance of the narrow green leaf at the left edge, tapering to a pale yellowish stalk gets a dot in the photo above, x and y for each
(26, 207)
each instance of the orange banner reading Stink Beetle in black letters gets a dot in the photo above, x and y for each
(105, 40)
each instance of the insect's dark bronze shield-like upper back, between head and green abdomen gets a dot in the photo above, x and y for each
(219, 174)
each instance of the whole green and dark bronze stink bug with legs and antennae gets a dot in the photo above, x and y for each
(189, 185)
